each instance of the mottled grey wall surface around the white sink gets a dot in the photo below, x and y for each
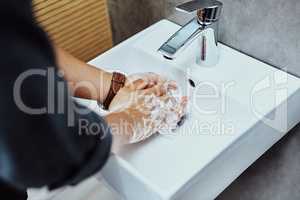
(266, 29)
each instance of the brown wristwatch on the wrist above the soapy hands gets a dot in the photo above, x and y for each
(117, 82)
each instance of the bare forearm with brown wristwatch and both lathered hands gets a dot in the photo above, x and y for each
(125, 97)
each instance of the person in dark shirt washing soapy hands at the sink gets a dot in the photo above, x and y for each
(38, 145)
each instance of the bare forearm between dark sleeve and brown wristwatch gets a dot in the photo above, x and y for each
(85, 80)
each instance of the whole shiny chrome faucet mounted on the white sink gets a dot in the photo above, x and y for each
(204, 26)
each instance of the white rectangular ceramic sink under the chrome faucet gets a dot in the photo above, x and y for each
(237, 111)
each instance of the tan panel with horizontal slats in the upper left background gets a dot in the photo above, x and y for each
(81, 27)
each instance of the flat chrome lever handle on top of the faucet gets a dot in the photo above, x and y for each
(208, 11)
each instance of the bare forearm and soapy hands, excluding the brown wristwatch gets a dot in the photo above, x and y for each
(140, 109)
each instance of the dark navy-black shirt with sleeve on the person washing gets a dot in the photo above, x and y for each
(44, 137)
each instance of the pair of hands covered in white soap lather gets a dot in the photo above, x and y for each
(143, 107)
